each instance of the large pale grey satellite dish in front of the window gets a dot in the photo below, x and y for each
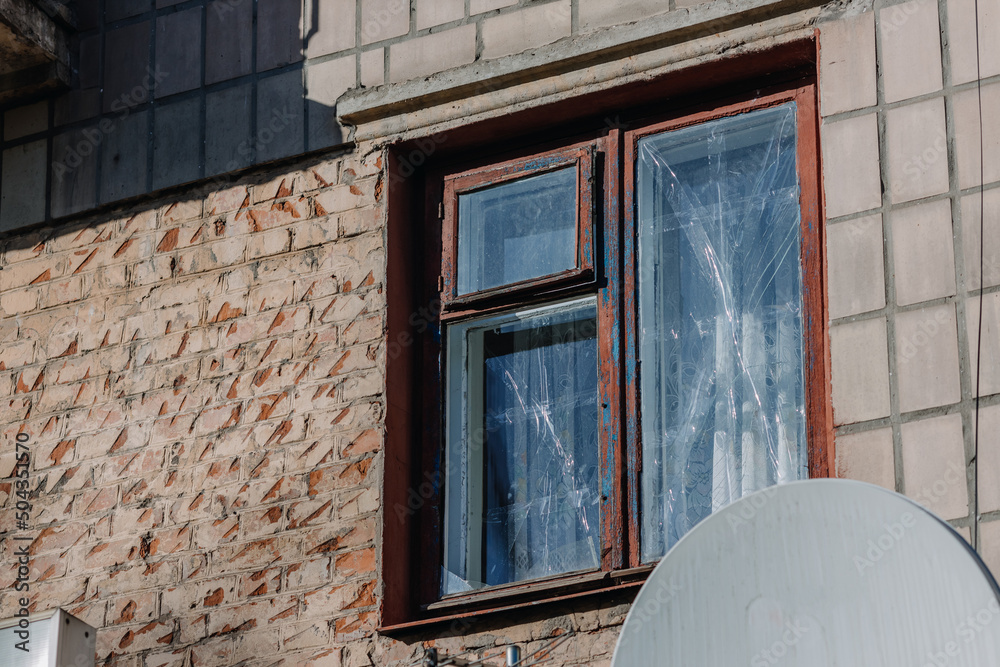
(820, 573)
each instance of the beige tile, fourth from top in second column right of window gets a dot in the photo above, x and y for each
(927, 358)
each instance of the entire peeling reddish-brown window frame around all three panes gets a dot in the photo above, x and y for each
(412, 557)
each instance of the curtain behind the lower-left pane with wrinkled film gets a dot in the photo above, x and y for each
(541, 450)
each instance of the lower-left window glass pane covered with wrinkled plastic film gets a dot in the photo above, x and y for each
(522, 461)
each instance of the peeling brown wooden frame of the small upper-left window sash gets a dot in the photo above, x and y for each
(496, 174)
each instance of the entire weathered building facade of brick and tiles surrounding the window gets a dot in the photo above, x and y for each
(196, 286)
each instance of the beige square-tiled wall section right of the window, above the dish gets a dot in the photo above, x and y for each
(900, 135)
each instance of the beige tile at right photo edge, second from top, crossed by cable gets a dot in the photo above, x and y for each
(967, 135)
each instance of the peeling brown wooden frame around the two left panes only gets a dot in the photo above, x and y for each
(602, 214)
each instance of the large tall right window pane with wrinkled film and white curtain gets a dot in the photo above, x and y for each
(720, 318)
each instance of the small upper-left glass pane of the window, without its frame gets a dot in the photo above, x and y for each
(517, 231)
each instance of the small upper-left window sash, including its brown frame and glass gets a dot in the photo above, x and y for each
(518, 227)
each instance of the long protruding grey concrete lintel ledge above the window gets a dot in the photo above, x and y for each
(363, 106)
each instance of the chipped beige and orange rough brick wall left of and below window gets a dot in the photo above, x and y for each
(201, 380)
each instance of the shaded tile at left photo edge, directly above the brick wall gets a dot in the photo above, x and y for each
(22, 185)
